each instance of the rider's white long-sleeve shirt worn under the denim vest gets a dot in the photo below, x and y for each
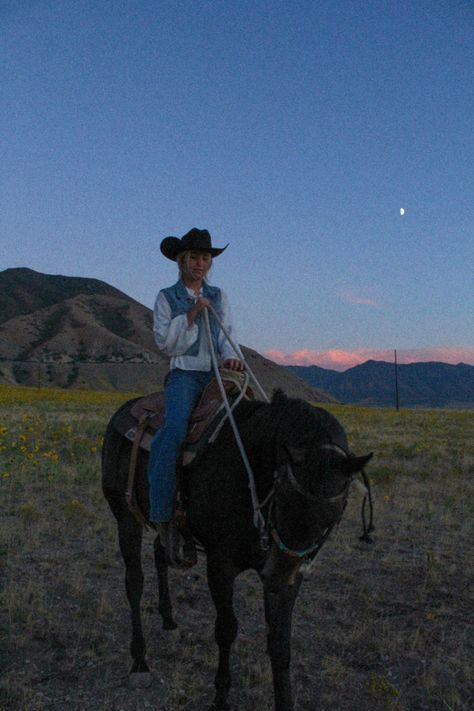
(175, 336)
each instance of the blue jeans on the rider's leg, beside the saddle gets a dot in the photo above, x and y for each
(182, 392)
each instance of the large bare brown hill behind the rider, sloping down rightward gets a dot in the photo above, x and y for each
(79, 332)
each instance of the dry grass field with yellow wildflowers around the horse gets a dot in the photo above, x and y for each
(387, 626)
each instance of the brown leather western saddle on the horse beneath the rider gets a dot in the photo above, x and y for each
(146, 415)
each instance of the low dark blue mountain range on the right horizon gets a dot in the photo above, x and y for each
(373, 383)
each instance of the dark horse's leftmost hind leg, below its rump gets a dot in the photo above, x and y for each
(130, 541)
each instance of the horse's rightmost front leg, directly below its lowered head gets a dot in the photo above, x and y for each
(279, 605)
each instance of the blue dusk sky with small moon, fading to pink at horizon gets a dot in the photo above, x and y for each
(298, 131)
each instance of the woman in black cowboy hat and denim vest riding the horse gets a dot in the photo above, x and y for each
(179, 332)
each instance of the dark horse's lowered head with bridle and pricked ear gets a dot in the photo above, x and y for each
(311, 486)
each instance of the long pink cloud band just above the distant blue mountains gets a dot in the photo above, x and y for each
(342, 360)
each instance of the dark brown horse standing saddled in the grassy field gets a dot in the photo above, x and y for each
(302, 467)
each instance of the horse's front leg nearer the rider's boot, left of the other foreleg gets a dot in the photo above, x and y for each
(221, 584)
